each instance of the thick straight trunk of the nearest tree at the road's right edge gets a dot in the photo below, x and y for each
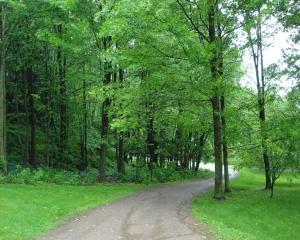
(217, 125)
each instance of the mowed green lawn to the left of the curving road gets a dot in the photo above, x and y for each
(27, 211)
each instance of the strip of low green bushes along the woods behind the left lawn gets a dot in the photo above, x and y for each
(171, 173)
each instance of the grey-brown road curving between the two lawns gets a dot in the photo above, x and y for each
(157, 214)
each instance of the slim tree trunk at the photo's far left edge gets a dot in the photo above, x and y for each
(3, 161)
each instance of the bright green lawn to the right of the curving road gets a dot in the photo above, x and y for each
(248, 213)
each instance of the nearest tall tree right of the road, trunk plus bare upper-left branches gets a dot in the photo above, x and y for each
(206, 31)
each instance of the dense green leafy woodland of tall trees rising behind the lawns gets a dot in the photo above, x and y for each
(134, 86)
